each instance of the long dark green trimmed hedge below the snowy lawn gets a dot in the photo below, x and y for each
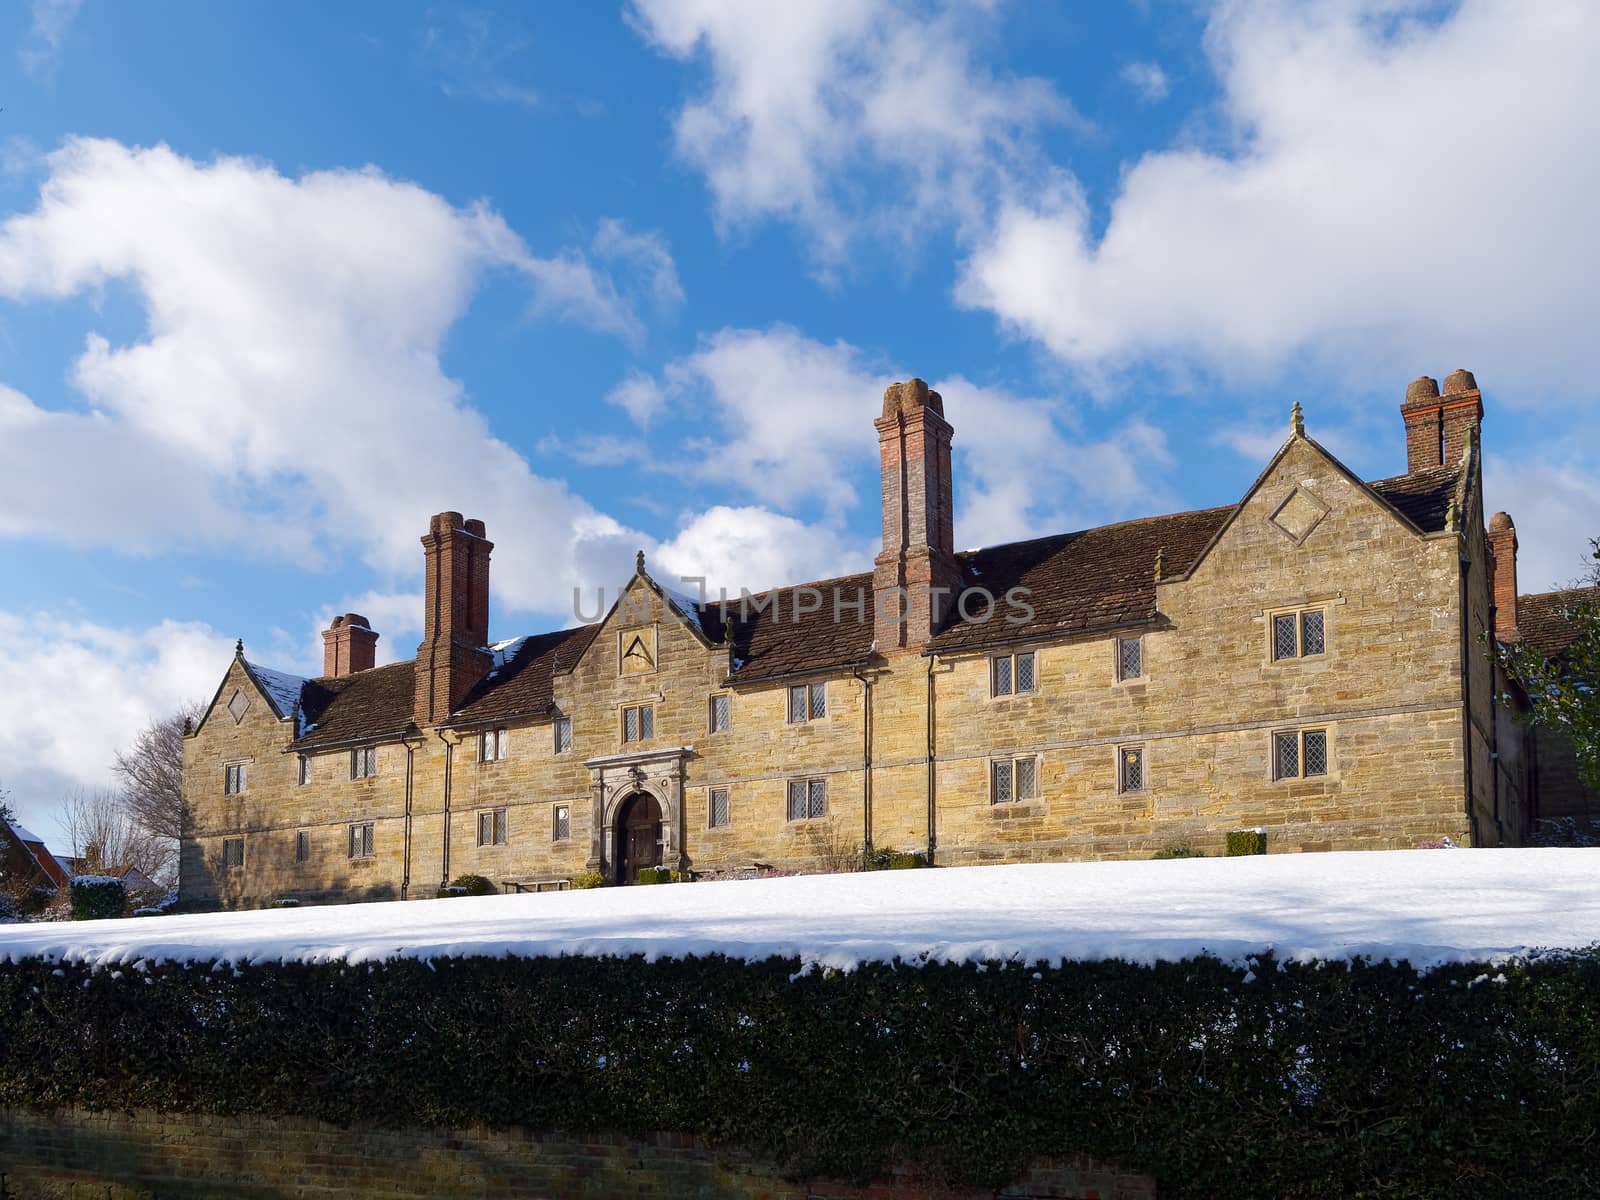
(1287, 1081)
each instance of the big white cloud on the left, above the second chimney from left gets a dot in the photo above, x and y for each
(289, 396)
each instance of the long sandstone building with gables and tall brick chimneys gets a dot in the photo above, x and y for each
(1310, 660)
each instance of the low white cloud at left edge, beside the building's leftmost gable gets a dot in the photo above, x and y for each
(73, 694)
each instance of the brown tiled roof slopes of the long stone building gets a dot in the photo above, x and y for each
(1090, 580)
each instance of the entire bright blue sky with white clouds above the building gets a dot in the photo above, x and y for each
(279, 282)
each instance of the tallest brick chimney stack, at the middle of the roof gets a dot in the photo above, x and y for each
(919, 519)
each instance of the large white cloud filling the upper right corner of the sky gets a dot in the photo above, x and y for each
(1394, 190)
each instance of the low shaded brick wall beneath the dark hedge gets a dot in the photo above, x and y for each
(124, 1156)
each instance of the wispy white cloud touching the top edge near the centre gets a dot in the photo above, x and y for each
(849, 116)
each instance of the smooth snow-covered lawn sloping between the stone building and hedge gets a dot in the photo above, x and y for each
(1430, 906)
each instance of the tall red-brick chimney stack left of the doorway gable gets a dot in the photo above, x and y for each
(457, 617)
